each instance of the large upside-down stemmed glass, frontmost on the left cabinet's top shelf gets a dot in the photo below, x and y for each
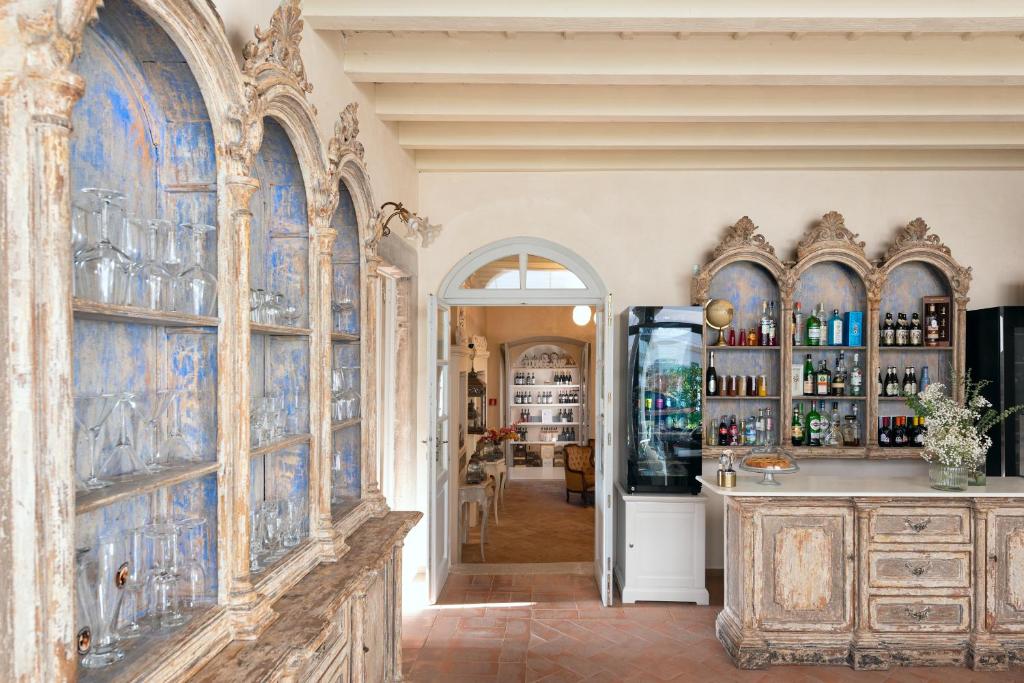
(101, 270)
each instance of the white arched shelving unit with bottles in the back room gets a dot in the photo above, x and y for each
(545, 360)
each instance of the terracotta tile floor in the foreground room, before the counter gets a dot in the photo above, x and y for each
(551, 628)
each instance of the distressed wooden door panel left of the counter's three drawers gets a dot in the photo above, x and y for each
(804, 564)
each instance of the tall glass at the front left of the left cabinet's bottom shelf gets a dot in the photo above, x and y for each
(104, 582)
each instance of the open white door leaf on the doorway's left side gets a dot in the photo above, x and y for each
(439, 430)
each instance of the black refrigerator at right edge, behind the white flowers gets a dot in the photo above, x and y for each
(996, 353)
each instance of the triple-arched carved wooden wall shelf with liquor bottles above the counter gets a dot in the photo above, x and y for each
(852, 338)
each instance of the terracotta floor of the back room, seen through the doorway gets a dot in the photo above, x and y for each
(536, 526)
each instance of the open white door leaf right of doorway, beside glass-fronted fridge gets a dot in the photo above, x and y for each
(605, 523)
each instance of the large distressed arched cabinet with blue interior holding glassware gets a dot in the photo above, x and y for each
(146, 99)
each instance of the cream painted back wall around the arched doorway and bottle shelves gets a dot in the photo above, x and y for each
(644, 232)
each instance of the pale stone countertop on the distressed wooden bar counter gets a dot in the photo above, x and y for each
(798, 485)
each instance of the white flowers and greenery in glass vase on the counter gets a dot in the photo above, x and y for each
(957, 440)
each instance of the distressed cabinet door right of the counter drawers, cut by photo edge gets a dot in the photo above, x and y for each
(1006, 571)
